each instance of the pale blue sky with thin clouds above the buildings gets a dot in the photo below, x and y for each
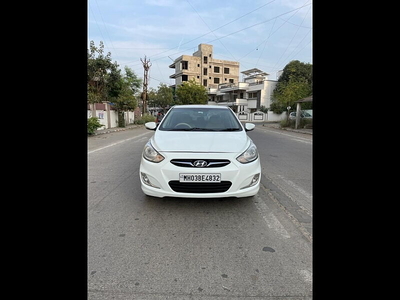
(263, 34)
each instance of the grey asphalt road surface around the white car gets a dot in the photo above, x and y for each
(249, 248)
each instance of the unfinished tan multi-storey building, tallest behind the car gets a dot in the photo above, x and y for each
(204, 68)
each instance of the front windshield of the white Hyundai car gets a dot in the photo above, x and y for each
(200, 119)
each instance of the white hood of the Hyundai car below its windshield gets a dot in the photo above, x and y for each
(195, 141)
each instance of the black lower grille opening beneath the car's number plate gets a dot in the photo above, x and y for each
(201, 188)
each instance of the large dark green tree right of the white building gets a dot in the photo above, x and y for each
(294, 84)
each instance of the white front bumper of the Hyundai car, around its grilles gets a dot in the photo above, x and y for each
(237, 179)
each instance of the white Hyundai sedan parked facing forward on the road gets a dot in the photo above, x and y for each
(200, 151)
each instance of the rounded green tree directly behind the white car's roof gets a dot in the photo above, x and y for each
(190, 92)
